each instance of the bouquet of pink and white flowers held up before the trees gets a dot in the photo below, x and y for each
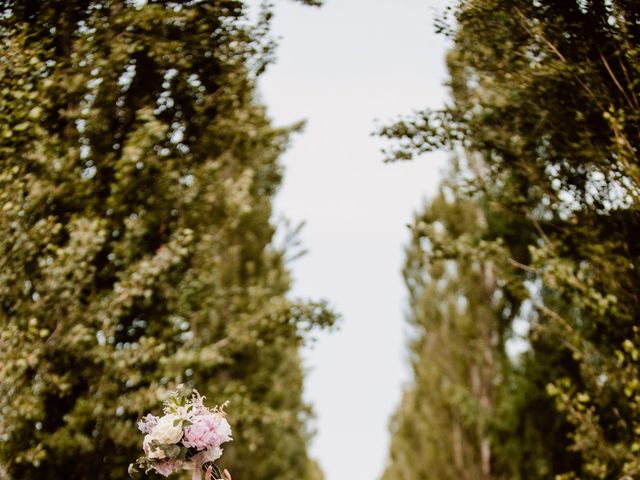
(188, 436)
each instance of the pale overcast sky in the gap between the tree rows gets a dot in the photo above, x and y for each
(341, 67)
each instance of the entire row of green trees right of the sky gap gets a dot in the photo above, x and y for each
(532, 243)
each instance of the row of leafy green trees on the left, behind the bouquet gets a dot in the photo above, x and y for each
(136, 177)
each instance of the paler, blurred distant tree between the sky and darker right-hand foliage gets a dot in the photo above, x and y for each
(441, 427)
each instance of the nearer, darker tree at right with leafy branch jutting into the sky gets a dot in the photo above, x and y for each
(545, 108)
